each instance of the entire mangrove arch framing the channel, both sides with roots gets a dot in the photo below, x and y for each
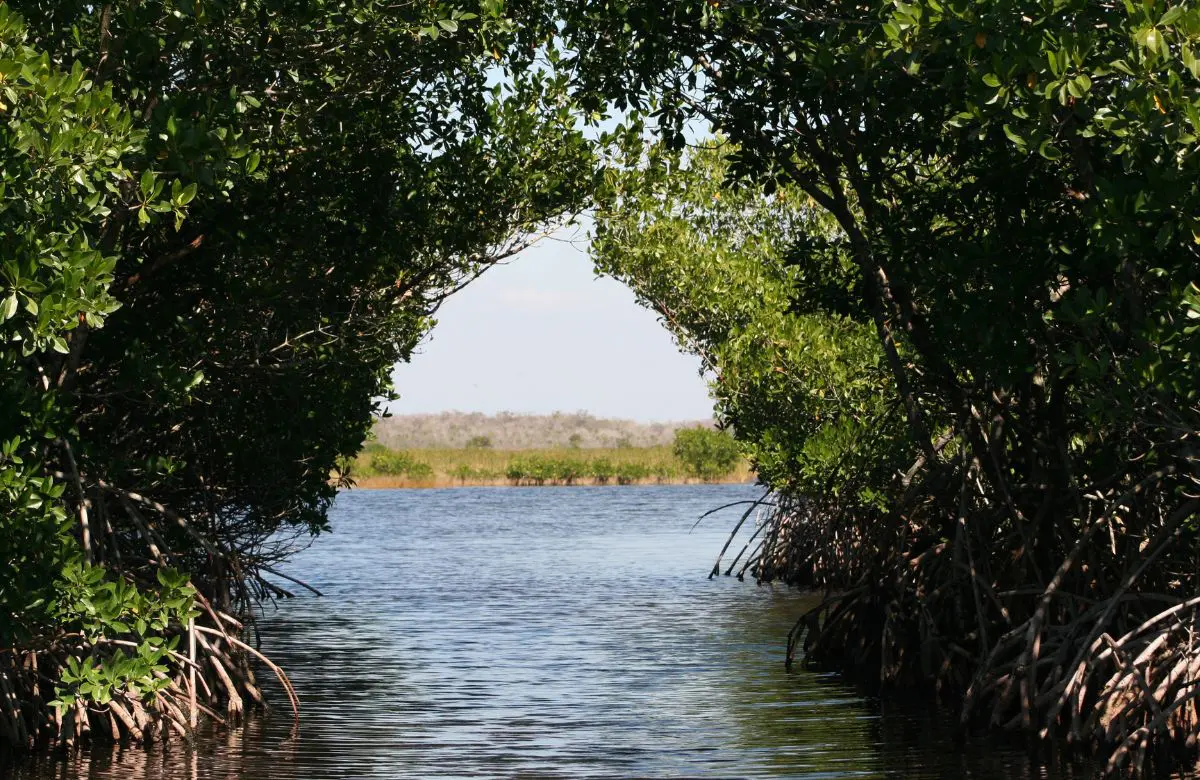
(940, 257)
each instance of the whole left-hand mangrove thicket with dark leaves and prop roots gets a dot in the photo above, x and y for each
(224, 225)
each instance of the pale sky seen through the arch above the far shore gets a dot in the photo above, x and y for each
(543, 334)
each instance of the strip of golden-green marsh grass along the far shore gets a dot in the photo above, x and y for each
(441, 467)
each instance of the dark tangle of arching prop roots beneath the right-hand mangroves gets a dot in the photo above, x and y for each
(1097, 646)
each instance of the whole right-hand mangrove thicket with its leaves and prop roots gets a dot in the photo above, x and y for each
(944, 265)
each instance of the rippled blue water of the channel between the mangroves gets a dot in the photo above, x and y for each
(548, 633)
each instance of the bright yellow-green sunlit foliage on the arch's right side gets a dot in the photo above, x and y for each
(761, 289)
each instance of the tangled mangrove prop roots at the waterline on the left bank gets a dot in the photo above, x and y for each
(134, 537)
